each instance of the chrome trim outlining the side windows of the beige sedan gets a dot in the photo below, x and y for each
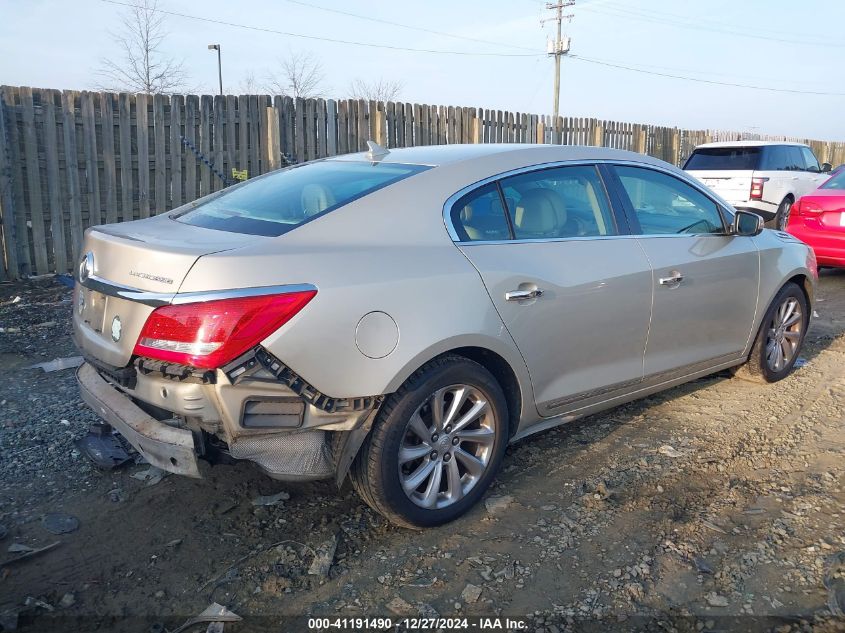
(680, 174)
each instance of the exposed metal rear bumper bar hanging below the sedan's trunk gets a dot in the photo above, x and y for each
(163, 446)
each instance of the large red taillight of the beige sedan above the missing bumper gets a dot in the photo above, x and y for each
(209, 334)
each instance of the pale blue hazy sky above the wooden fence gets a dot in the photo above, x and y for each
(782, 44)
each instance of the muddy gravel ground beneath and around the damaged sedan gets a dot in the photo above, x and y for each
(715, 506)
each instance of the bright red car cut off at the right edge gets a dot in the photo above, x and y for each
(819, 220)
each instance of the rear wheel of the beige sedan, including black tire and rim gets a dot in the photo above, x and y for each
(436, 444)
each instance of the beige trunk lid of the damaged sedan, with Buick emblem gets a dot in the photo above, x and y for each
(126, 261)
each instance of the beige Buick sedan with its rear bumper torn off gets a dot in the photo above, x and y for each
(399, 317)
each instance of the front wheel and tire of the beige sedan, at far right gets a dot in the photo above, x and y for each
(780, 338)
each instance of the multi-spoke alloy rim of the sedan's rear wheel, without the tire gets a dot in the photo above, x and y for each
(447, 446)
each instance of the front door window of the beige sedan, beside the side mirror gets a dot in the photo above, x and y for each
(664, 204)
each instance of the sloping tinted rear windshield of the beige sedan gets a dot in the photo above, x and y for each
(279, 202)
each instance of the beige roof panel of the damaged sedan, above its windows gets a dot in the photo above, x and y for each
(438, 155)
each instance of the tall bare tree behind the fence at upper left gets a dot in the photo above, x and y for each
(142, 65)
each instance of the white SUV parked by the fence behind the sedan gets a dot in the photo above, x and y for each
(765, 177)
